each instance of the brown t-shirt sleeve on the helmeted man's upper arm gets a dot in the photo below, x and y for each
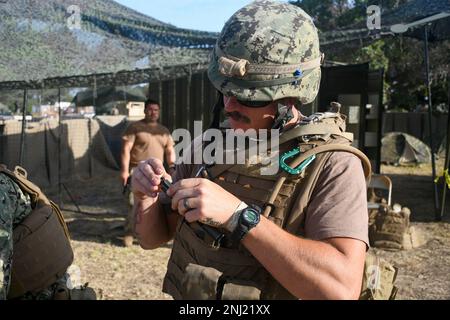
(338, 204)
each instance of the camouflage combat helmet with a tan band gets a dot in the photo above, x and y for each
(267, 51)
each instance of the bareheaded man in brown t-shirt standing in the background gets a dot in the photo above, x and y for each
(143, 140)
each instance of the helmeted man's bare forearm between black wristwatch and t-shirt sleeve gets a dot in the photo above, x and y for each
(331, 269)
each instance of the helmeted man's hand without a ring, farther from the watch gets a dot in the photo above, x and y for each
(147, 178)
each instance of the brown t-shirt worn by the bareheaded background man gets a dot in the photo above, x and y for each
(149, 141)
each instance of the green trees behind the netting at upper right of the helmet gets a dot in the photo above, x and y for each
(402, 58)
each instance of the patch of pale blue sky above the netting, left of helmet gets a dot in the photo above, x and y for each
(205, 15)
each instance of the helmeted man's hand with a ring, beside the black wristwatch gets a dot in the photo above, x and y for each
(206, 201)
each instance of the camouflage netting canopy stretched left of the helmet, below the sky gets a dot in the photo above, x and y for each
(40, 40)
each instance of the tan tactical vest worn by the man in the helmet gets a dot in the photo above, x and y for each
(200, 270)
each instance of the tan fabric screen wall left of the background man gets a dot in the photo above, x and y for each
(86, 148)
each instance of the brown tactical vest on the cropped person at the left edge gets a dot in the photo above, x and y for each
(41, 249)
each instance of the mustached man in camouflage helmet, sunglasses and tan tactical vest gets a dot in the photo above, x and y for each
(301, 233)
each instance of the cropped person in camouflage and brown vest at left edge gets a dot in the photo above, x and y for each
(35, 250)
